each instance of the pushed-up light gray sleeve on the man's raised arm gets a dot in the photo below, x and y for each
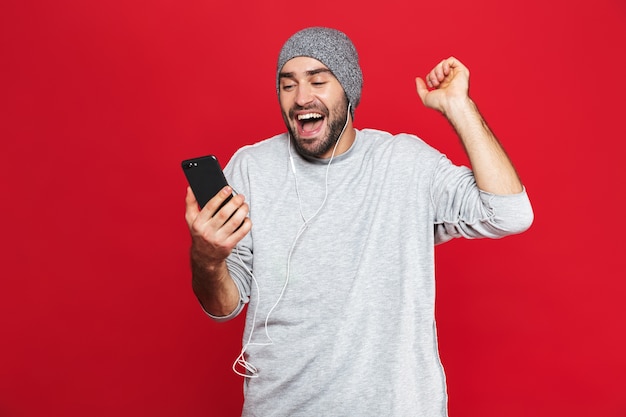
(461, 209)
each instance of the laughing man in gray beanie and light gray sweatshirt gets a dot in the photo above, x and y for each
(338, 269)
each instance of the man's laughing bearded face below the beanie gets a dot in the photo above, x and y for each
(313, 104)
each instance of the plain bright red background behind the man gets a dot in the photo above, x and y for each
(102, 100)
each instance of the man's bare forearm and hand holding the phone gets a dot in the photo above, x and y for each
(214, 234)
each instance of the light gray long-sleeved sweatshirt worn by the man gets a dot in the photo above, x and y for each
(341, 315)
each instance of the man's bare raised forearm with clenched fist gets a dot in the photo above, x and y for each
(446, 89)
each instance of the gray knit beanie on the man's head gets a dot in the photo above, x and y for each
(333, 49)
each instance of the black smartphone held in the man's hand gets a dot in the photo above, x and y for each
(206, 178)
